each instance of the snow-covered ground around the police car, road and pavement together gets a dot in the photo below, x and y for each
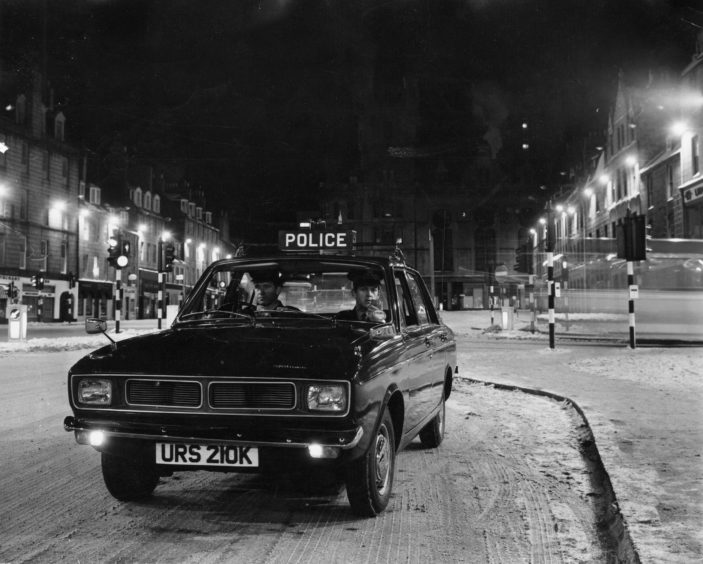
(644, 407)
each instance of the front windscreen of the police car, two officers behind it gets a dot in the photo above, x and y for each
(305, 286)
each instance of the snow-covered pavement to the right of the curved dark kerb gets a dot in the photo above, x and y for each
(644, 407)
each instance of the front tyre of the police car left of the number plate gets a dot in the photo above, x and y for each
(128, 479)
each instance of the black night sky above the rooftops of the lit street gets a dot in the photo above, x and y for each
(258, 98)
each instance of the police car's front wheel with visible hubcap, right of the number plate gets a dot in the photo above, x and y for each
(369, 479)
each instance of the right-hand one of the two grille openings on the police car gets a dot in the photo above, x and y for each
(251, 395)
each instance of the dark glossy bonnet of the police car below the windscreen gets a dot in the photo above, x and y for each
(234, 351)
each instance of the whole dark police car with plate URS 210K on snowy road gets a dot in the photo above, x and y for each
(230, 388)
